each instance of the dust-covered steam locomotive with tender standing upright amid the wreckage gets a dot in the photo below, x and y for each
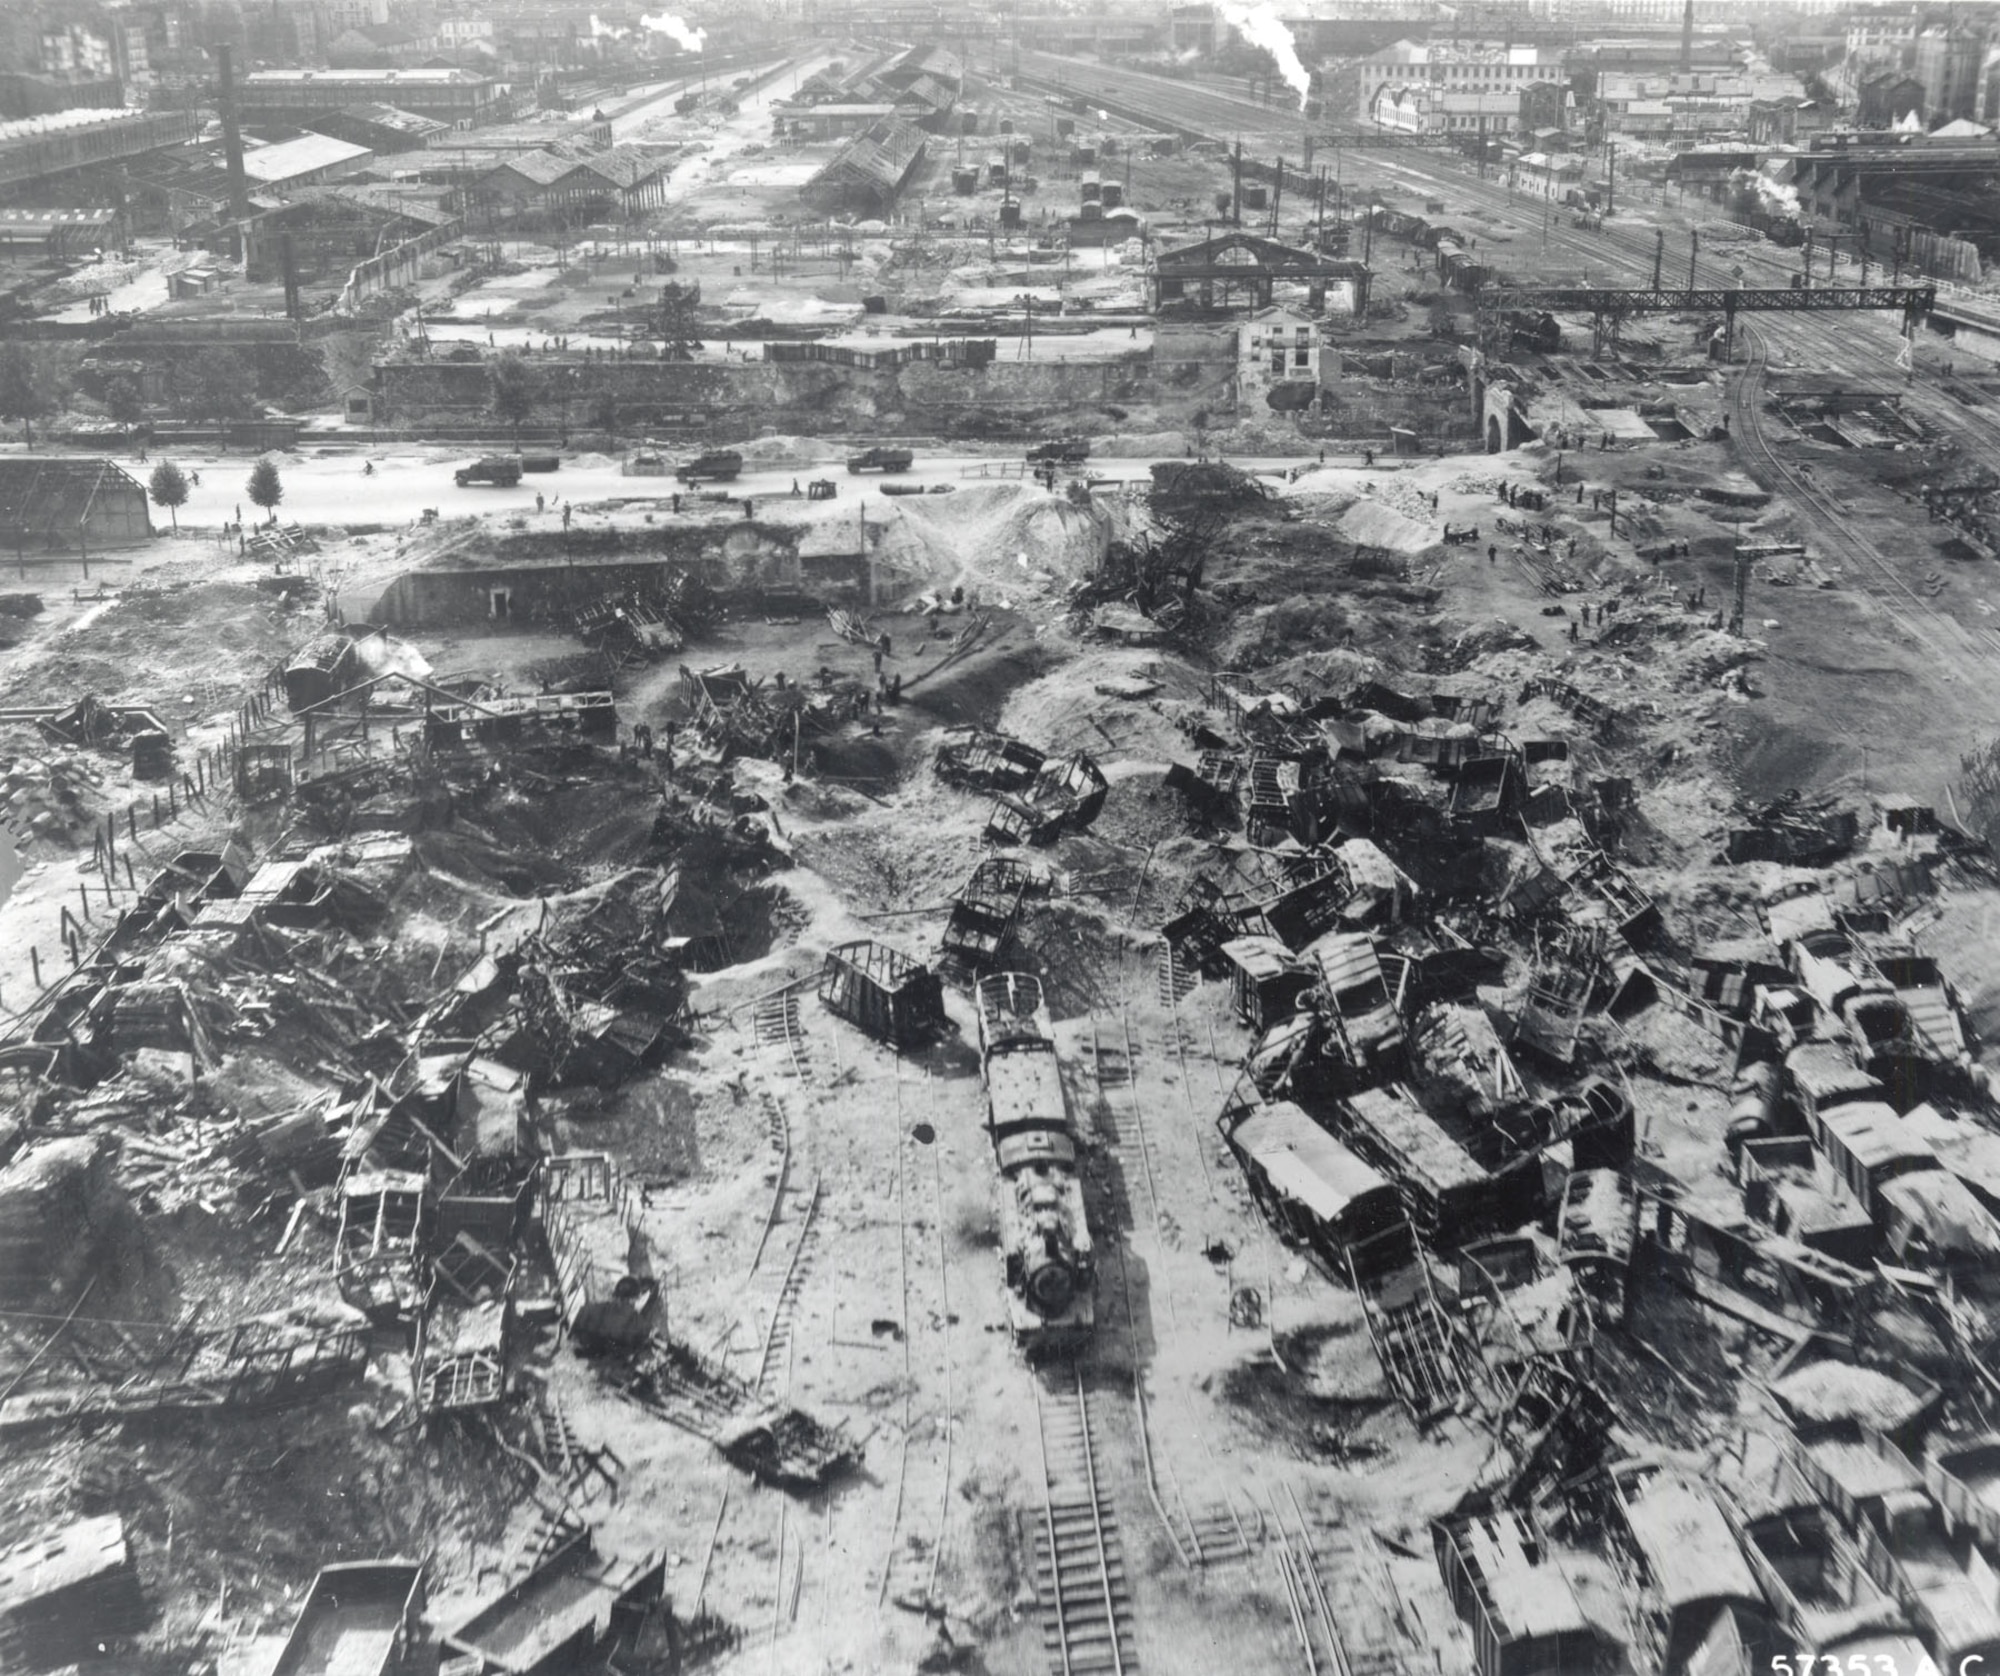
(1045, 1237)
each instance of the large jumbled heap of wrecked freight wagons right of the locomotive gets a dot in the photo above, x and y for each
(1455, 985)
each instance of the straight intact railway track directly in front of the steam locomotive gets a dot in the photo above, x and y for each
(1079, 1571)
